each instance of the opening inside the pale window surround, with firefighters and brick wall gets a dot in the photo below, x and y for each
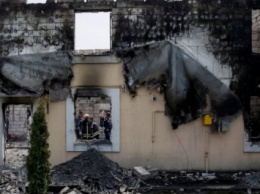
(93, 121)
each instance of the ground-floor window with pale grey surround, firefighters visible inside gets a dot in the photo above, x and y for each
(95, 104)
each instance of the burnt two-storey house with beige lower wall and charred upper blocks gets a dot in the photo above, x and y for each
(39, 56)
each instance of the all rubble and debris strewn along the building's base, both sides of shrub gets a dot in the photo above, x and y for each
(92, 172)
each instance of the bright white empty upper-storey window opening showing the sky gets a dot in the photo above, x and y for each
(92, 31)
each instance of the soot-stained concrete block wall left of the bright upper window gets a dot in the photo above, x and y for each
(35, 28)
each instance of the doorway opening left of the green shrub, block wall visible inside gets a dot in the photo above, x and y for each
(17, 122)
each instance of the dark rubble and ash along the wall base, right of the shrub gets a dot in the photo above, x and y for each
(92, 172)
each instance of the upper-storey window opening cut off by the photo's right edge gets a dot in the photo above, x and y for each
(256, 31)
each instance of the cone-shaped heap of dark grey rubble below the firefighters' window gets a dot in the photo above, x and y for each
(92, 172)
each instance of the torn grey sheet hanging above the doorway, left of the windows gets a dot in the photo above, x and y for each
(35, 74)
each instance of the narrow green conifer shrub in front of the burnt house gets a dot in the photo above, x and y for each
(37, 163)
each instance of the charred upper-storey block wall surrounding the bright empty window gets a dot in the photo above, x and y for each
(50, 27)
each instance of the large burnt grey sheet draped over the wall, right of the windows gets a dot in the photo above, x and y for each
(184, 81)
